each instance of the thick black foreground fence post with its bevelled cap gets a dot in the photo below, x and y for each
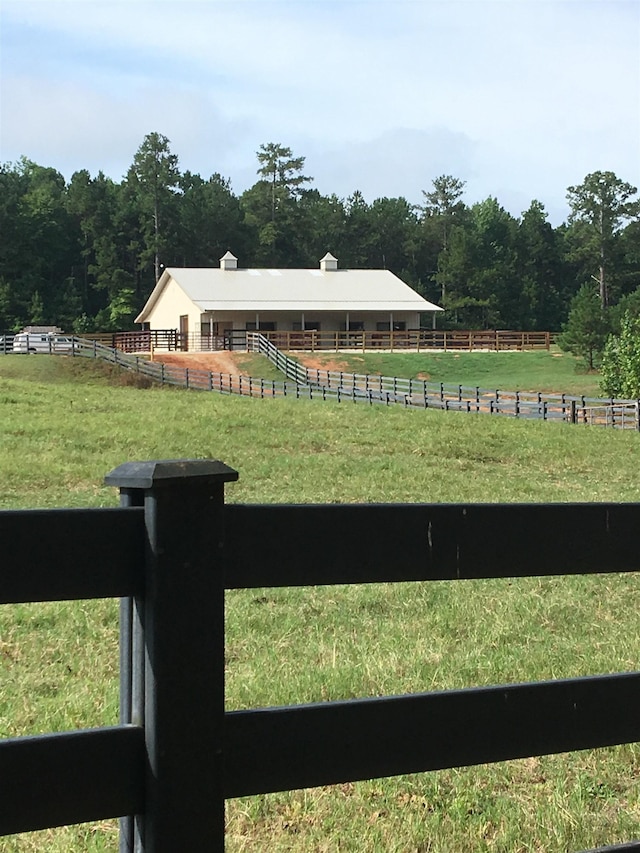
(182, 619)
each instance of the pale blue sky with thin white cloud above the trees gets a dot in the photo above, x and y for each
(518, 98)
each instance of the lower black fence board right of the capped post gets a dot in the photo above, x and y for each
(277, 749)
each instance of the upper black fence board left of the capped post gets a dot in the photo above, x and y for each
(57, 555)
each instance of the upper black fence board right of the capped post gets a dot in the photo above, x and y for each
(300, 545)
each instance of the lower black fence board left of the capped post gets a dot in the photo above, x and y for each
(71, 777)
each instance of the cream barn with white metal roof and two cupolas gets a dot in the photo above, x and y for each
(214, 301)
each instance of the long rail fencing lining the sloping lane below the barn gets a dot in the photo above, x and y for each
(314, 384)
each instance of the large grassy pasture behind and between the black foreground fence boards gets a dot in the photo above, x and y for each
(65, 423)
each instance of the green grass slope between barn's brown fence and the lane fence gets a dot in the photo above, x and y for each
(507, 371)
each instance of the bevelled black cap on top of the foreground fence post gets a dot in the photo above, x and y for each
(170, 472)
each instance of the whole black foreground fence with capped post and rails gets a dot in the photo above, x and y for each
(171, 550)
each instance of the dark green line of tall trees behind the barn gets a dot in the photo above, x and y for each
(86, 254)
